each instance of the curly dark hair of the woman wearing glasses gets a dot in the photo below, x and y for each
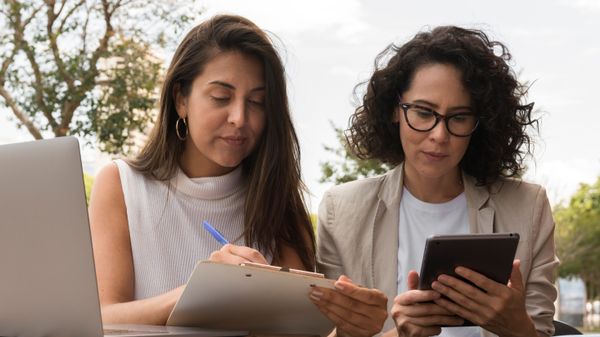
(499, 145)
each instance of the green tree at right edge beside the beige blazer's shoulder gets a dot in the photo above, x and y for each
(578, 237)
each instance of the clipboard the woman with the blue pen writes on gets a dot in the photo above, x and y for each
(258, 298)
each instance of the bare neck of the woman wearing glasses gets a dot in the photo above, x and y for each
(433, 189)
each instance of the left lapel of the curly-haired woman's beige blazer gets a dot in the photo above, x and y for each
(385, 234)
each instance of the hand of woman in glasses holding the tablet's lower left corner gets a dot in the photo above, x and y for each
(415, 314)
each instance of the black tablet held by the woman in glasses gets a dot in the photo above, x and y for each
(491, 255)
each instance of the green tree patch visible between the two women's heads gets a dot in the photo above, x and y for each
(347, 167)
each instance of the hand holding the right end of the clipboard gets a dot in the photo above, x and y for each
(355, 311)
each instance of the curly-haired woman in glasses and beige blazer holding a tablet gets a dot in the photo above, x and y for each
(448, 112)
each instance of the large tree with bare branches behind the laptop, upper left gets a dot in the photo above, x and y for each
(85, 67)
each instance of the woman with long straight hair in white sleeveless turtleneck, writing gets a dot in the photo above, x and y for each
(223, 150)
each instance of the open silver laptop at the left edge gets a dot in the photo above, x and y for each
(47, 275)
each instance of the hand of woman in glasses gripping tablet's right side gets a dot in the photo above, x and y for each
(499, 309)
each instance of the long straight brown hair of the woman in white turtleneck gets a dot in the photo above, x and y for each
(275, 213)
